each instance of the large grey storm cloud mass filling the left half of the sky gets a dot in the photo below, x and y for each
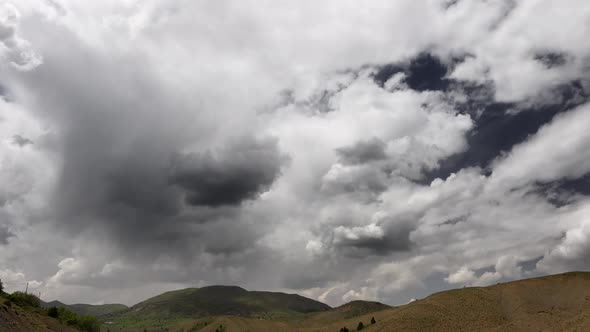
(124, 169)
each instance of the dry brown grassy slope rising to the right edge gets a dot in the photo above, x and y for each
(552, 303)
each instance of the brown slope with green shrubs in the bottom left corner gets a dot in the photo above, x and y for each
(14, 318)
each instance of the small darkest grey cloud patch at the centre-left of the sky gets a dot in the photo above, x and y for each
(228, 177)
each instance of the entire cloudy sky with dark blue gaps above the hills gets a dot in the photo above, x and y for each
(342, 150)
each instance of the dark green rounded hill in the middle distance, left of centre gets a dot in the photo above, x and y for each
(197, 306)
